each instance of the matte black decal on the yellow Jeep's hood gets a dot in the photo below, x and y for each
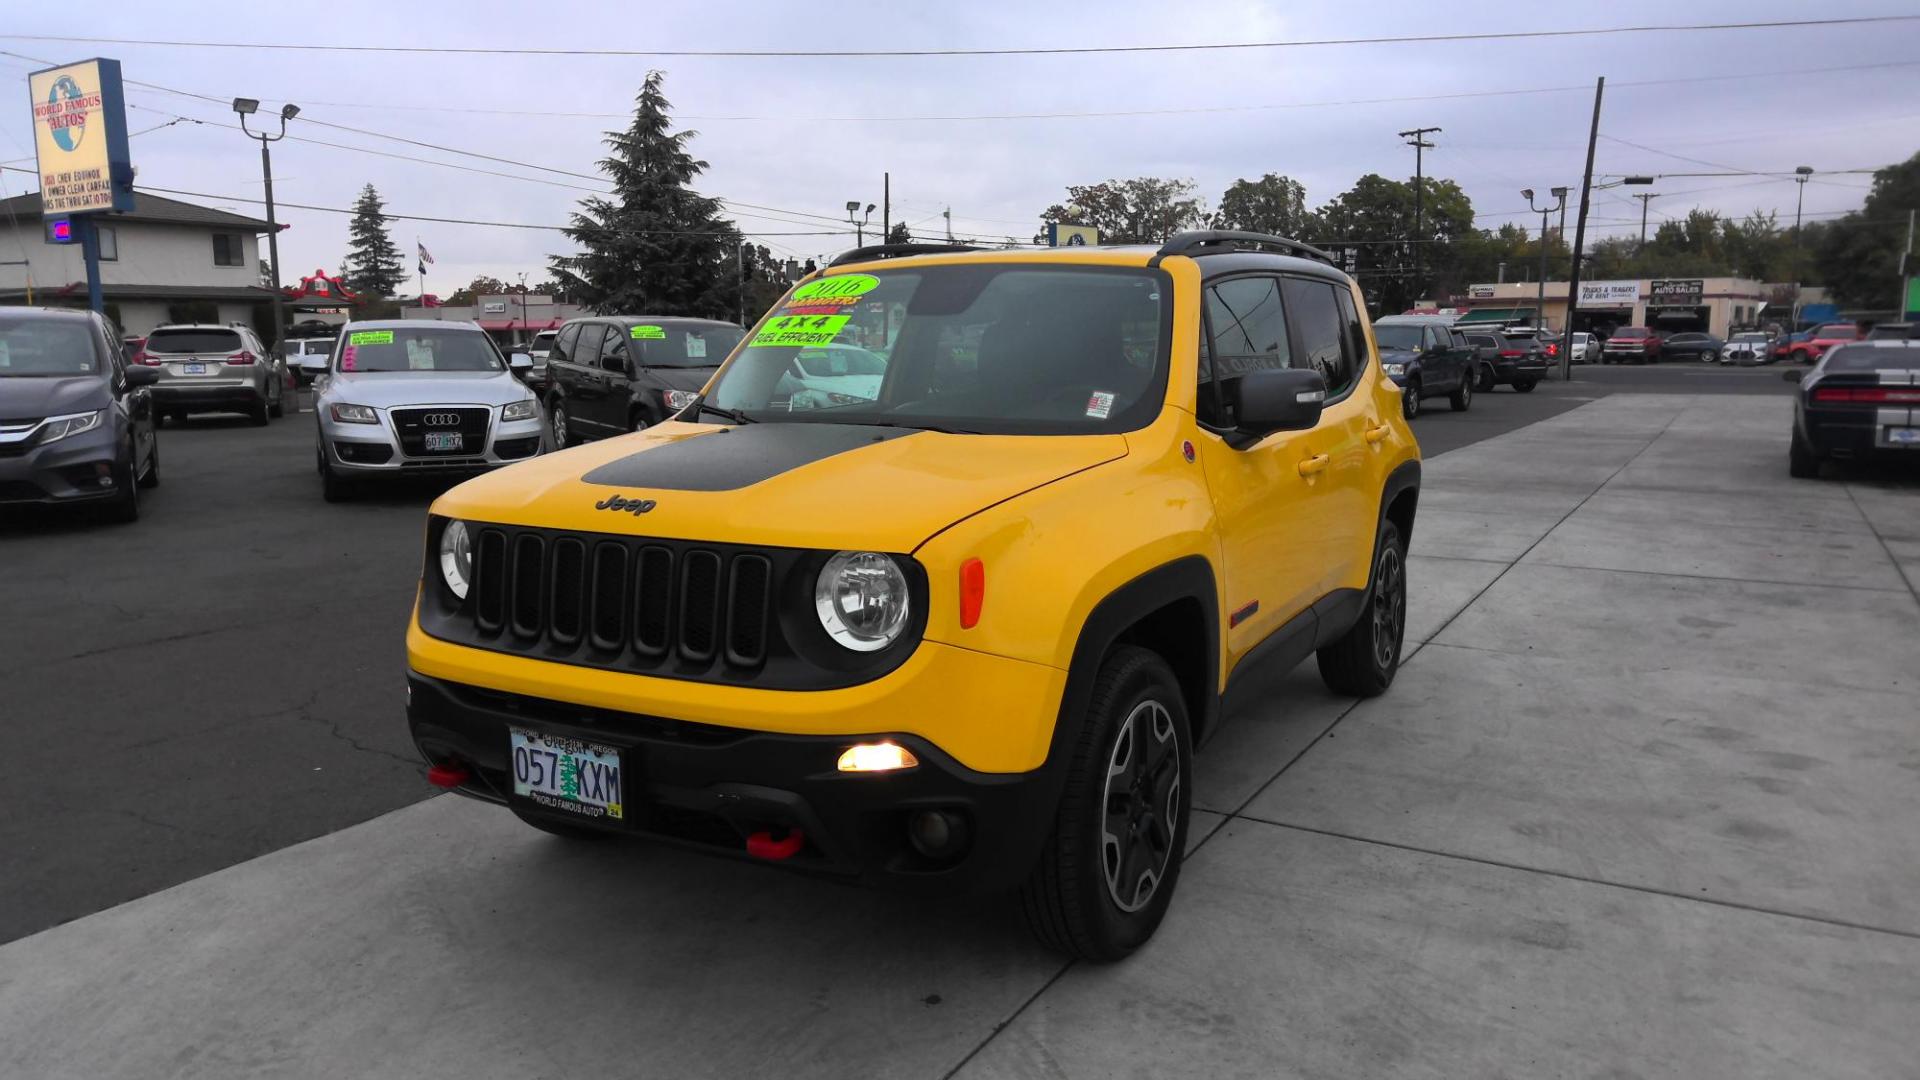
(736, 458)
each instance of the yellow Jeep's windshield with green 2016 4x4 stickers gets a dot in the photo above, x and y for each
(1003, 349)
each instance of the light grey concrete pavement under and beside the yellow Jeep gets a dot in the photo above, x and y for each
(1644, 802)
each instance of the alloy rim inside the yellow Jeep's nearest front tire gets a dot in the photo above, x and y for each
(1141, 806)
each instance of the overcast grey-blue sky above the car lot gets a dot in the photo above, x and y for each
(769, 134)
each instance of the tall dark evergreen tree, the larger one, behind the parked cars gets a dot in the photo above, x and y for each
(654, 247)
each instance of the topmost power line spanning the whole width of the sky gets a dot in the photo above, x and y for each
(923, 53)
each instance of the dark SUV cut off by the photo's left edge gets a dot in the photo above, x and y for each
(76, 418)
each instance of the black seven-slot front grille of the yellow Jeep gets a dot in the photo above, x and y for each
(652, 606)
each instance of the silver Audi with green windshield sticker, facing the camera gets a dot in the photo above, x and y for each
(404, 397)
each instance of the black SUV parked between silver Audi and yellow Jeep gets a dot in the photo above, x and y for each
(617, 374)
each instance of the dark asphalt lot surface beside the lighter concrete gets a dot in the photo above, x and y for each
(226, 677)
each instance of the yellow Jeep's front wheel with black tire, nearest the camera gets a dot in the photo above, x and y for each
(1070, 898)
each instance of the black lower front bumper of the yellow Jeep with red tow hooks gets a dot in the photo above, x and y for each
(713, 787)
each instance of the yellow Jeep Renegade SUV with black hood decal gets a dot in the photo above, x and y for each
(942, 577)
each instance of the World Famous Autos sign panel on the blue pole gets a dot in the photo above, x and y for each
(80, 135)
